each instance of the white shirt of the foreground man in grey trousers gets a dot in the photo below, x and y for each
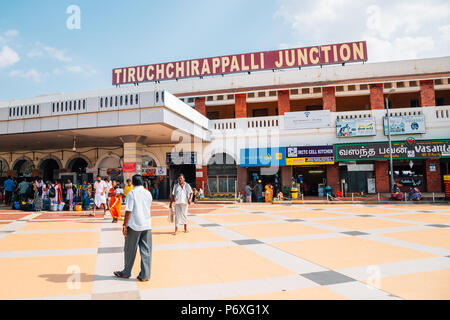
(139, 202)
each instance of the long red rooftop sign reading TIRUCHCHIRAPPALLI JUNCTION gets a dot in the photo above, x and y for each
(248, 62)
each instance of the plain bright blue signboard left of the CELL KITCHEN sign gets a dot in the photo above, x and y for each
(263, 157)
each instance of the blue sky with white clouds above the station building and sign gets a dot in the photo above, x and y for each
(40, 55)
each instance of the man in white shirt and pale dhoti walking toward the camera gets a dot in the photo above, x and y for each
(182, 196)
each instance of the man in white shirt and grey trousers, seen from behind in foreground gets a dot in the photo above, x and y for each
(137, 229)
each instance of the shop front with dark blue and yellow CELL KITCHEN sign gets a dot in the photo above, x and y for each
(310, 167)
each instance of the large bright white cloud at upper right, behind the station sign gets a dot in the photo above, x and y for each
(403, 29)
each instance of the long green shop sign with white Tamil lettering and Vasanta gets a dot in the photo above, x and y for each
(400, 150)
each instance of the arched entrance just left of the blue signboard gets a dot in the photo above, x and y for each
(222, 174)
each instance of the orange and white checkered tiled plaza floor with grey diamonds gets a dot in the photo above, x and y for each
(235, 252)
